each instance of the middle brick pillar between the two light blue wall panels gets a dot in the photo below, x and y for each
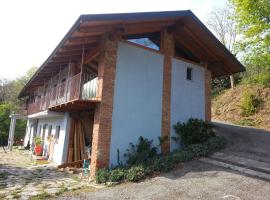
(167, 47)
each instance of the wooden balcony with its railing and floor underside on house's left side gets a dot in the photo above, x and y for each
(76, 93)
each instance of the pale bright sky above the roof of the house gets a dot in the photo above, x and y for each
(31, 29)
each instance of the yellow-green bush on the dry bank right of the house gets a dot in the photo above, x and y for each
(249, 103)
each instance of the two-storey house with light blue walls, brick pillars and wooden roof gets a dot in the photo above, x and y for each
(115, 77)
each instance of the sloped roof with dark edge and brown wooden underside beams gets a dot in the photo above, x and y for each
(190, 33)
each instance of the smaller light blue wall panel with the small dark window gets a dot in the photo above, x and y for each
(187, 97)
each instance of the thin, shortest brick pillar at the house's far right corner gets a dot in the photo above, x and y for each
(207, 95)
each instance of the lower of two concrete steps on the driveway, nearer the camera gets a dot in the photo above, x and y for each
(243, 170)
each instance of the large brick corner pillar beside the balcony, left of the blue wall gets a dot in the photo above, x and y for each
(103, 111)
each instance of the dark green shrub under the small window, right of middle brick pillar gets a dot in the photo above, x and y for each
(193, 132)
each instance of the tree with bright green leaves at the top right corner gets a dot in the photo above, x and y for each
(253, 20)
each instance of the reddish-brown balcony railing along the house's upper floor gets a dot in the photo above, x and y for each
(80, 86)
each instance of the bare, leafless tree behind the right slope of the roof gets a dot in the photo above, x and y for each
(221, 23)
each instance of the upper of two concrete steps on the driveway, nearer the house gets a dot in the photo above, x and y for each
(242, 162)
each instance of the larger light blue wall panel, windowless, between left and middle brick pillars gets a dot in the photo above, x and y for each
(137, 106)
